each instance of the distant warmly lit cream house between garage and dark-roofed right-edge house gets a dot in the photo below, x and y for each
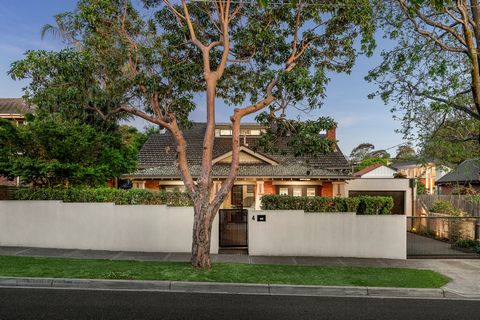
(425, 172)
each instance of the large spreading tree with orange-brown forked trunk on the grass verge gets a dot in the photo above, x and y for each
(253, 57)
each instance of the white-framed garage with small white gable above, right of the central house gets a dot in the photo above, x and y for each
(379, 180)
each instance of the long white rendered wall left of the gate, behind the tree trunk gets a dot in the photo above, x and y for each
(98, 226)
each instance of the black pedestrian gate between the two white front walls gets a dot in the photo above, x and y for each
(233, 228)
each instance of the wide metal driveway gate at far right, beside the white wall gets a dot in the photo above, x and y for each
(443, 237)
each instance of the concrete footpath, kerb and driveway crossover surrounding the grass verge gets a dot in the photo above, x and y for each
(464, 274)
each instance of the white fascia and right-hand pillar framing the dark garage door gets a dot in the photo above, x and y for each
(383, 184)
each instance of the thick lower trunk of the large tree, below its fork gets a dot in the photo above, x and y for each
(202, 231)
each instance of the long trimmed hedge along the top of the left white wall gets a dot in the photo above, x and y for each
(117, 196)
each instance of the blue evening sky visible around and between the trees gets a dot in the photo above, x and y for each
(359, 118)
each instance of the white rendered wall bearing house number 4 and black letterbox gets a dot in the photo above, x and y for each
(295, 233)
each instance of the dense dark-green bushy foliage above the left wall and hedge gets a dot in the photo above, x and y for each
(51, 151)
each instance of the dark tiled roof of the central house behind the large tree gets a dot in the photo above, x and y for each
(158, 157)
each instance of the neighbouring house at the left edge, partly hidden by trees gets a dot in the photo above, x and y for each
(13, 109)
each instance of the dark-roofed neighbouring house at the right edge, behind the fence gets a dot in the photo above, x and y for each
(465, 176)
